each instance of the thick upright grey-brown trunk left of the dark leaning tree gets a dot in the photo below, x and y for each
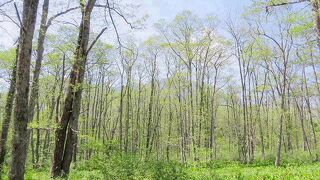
(21, 136)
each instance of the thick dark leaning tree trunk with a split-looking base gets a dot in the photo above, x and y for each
(64, 145)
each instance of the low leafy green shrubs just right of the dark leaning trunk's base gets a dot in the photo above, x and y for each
(130, 167)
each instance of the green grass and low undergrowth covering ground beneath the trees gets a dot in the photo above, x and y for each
(130, 167)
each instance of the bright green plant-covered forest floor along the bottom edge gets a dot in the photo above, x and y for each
(162, 170)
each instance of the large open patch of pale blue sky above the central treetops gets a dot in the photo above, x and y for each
(168, 9)
